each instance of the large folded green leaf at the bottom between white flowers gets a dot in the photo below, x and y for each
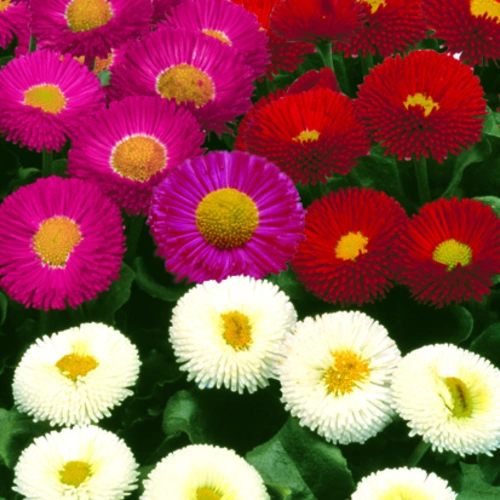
(299, 461)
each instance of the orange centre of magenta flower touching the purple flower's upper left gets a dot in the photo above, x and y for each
(138, 157)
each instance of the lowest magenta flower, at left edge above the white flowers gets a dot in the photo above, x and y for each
(61, 242)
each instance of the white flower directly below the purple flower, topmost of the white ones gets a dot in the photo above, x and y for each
(230, 333)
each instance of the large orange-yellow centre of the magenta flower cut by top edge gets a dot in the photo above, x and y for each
(86, 15)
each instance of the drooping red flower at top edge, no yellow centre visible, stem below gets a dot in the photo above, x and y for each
(317, 20)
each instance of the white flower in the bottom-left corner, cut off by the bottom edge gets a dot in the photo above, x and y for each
(80, 463)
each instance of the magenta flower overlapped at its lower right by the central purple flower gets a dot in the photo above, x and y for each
(129, 148)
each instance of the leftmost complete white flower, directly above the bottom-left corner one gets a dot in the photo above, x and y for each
(76, 376)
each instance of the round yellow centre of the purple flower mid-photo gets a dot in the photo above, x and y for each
(227, 218)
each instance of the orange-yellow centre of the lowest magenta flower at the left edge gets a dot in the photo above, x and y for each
(55, 240)
